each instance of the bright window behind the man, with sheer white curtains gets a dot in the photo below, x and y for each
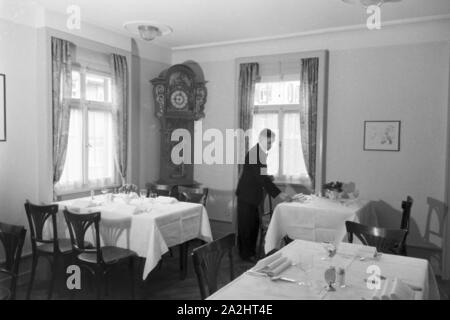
(277, 108)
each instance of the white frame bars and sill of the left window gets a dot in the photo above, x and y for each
(85, 106)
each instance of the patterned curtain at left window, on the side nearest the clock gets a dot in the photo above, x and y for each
(120, 112)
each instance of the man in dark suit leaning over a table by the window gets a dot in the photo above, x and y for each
(250, 194)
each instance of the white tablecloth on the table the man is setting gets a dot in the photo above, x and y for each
(320, 220)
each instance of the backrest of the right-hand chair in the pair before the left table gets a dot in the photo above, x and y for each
(78, 224)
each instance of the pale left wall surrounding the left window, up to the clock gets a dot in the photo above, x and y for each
(25, 158)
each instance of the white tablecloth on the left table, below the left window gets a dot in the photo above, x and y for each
(149, 233)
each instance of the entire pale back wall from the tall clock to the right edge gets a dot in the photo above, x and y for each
(400, 72)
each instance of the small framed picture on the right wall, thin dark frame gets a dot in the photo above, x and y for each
(382, 135)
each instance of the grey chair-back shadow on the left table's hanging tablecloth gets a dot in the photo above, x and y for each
(112, 229)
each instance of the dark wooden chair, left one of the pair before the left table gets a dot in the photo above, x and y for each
(54, 249)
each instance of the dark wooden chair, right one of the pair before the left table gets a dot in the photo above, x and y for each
(98, 261)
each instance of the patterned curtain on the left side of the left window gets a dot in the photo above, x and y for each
(62, 53)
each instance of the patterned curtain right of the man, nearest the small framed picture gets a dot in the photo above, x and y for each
(308, 113)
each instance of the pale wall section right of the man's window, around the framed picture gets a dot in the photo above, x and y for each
(407, 83)
